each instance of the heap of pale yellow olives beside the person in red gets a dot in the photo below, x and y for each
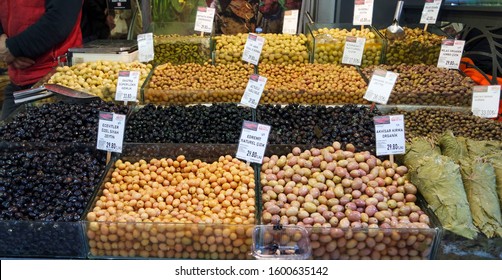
(98, 78)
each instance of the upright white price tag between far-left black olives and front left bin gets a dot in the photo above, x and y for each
(111, 132)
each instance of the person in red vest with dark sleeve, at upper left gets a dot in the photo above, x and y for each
(34, 35)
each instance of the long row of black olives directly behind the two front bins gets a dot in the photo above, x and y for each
(291, 124)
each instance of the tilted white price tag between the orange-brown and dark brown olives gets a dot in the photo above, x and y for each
(381, 85)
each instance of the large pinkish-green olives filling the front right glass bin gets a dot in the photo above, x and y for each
(354, 205)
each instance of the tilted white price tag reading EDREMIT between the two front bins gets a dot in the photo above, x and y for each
(253, 141)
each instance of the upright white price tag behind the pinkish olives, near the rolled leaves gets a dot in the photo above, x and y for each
(389, 134)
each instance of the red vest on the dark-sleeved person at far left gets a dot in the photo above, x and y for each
(15, 17)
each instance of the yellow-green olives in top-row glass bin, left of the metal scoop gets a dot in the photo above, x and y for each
(327, 45)
